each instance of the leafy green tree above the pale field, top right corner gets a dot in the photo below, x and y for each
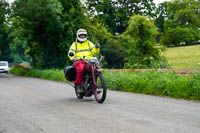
(182, 25)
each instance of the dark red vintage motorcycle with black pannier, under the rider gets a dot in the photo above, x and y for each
(94, 82)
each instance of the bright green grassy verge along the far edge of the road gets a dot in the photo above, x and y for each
(153, 83)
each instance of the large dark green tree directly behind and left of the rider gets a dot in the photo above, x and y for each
(50, 28)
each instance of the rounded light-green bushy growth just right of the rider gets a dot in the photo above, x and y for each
(136, 47)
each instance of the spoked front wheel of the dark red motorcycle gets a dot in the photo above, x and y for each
(100, 90)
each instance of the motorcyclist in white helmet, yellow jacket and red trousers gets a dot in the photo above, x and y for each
(80, 49)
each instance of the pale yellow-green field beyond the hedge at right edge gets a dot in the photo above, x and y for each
(183, 57)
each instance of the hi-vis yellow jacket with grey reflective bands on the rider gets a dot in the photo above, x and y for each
(80, 50)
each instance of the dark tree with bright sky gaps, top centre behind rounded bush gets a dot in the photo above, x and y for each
(115, 14)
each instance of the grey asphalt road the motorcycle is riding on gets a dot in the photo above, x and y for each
(29, 105)
